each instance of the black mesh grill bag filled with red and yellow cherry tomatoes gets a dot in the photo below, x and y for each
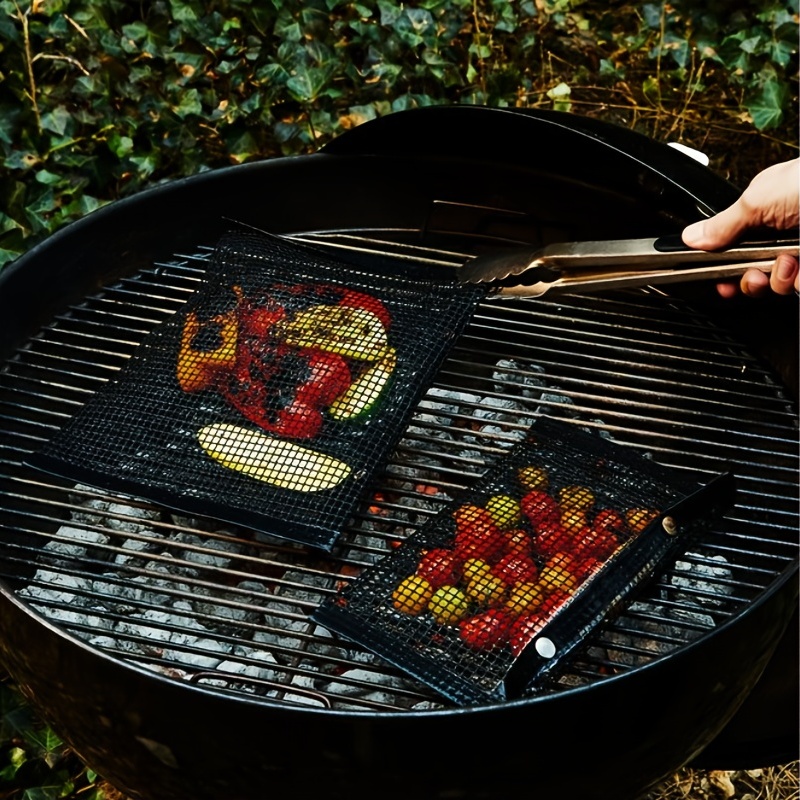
(487, 599)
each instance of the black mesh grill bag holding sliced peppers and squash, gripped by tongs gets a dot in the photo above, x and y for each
(274, 395)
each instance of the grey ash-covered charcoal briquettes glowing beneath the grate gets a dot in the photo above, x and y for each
(196, 600)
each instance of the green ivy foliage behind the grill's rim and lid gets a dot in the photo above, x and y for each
(100, 98)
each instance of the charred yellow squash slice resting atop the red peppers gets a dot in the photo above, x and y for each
(349, 331)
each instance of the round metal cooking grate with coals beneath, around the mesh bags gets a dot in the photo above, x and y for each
(199, 601)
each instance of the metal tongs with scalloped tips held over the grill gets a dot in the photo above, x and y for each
(592, 266)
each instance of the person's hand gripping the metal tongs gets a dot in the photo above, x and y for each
(772, 199)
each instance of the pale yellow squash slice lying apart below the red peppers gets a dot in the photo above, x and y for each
(281, 463)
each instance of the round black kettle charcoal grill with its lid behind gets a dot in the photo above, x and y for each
(176, 655)
